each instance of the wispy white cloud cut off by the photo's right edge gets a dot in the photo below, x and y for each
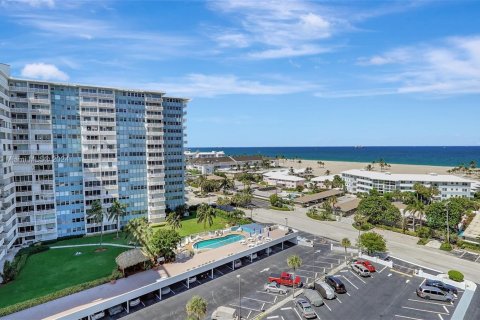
(450, 66)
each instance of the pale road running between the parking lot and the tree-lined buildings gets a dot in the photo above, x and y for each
(399, 245)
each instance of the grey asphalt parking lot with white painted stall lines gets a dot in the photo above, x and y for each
(388, 294)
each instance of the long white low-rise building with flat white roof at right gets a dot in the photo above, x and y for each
(357, 181)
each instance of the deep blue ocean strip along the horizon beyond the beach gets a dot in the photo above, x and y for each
(435, 156)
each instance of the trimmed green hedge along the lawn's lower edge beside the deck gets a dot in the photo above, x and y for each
(58, 294)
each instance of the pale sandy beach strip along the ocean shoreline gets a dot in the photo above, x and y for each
(336, 167)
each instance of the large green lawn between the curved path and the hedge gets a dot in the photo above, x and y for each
(56, 269)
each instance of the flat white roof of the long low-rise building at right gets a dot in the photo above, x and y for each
(406, 177)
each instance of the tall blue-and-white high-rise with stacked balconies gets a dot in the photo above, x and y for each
(65, 146)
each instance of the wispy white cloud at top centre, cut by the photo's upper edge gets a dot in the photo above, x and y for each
(280, 28)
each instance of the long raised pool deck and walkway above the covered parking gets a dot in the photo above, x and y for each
(65, 308)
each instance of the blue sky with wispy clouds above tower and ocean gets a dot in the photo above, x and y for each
(269, 73)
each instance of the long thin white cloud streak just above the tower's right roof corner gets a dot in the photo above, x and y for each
(202, 85)
